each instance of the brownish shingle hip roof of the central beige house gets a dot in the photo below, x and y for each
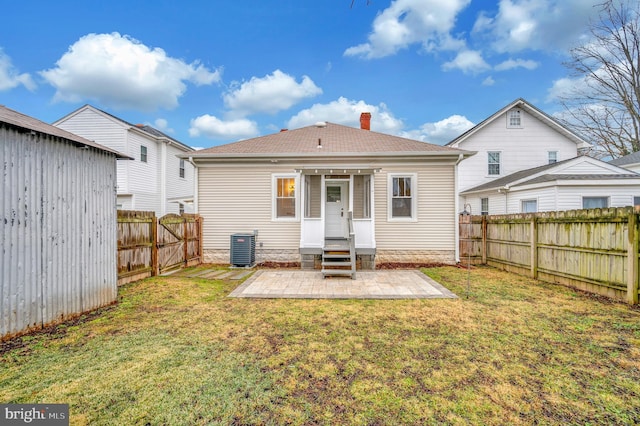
(335, 139)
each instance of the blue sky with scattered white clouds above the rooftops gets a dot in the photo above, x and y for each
(208, 73)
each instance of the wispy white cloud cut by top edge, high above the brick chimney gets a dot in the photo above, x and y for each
(407, 22)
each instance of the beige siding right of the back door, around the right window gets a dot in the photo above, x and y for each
(435, 227)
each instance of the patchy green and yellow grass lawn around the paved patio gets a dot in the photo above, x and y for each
(178, 351)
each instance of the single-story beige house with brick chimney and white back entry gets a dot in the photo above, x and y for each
(297, 190)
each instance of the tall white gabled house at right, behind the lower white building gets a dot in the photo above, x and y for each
(517, 137)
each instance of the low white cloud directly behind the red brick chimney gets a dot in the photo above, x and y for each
(347, 112)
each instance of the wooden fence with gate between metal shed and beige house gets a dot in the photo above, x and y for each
(148, 246)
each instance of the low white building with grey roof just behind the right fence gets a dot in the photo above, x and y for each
(577, 183)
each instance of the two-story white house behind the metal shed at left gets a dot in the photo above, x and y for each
(157, 180)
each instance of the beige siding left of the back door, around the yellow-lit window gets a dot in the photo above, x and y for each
(238, 199)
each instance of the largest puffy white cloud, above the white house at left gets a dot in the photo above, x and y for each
(121, 72)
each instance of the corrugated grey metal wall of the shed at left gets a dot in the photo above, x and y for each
(58, 218)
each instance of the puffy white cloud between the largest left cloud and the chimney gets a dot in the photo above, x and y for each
(273, 93)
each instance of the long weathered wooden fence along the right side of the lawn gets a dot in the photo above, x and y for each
(593, 250)
